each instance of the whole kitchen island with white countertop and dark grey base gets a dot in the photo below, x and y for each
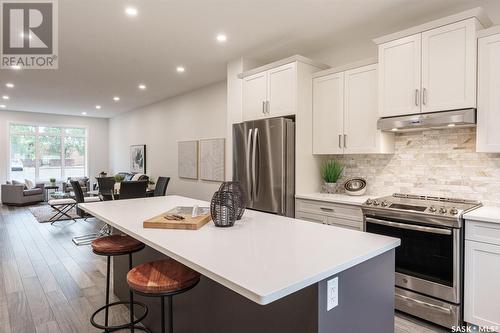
(268, 273)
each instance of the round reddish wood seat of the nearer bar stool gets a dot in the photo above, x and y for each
(161, 277)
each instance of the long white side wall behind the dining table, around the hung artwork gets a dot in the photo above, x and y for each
(200, 114)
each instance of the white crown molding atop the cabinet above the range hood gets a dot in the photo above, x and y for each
(479, 13)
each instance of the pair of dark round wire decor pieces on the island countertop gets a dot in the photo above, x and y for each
(227, 205)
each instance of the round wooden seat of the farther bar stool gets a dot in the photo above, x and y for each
(116, 245)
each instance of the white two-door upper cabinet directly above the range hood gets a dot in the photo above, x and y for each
(434, 70)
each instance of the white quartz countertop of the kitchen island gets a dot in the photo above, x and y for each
(264, 257)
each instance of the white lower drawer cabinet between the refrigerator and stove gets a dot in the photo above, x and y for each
(339, 215)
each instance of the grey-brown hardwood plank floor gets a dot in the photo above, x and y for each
(49, 285)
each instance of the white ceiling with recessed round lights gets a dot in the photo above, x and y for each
(103, 52)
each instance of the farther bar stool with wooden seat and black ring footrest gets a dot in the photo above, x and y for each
(110, 246)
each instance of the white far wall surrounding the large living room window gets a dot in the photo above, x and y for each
(97, 137)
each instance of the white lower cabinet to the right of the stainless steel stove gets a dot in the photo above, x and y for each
(482, 274)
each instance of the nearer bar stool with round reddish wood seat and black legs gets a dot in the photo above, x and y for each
(162, 278)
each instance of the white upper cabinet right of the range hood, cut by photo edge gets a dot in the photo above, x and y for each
(488, 104)
